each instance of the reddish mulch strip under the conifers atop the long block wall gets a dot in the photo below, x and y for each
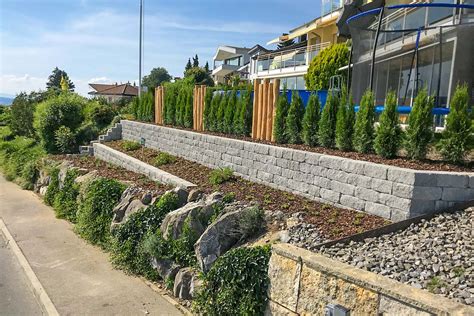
(433, 163)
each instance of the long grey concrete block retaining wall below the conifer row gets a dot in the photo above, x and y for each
(391, 192)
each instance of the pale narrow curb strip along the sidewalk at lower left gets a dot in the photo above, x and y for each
(40, 293)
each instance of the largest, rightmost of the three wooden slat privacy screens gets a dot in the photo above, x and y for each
(264, 108)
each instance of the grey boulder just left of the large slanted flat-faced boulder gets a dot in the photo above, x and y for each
(198, 213)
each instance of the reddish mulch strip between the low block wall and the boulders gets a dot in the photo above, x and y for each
(111, 171)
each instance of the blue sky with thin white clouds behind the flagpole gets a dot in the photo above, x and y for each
(96, 40)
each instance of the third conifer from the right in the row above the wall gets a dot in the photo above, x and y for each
(388, 134)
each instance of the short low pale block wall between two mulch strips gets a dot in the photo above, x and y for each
(120, 159)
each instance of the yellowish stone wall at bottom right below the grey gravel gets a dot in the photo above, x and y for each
(303, 283)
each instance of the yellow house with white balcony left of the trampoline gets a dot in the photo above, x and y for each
(290, 64)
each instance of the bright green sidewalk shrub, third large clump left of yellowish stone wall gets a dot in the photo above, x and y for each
(94, 215)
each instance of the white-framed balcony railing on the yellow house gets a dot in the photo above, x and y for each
(289, 58)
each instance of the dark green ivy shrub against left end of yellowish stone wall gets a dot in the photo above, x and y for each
(236, 284)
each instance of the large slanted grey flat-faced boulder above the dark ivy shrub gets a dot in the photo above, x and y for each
(219, 237)
